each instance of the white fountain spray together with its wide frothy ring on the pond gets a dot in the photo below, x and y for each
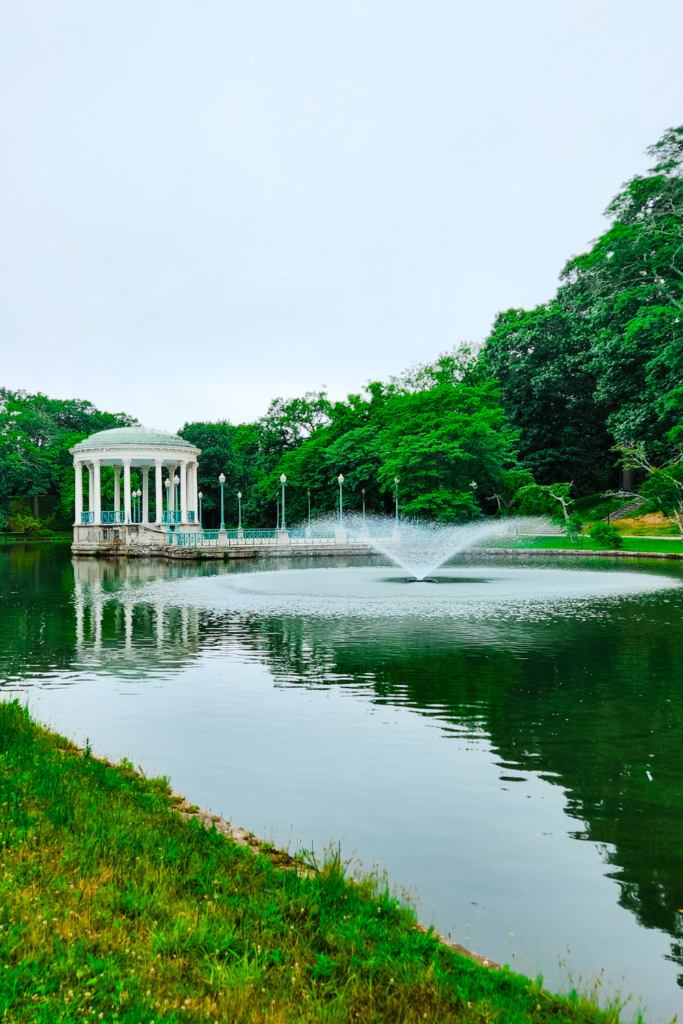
(419, 549)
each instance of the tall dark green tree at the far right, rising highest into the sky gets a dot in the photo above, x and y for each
(604, 361)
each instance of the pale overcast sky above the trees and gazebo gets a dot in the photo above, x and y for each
(207, 205)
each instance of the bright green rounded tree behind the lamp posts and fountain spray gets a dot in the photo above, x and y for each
(439, 428)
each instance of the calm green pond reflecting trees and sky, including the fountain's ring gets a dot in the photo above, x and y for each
(513, 755)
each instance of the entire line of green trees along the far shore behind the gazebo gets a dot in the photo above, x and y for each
(568, 400)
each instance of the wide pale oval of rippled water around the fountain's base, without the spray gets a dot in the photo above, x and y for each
(471, 592)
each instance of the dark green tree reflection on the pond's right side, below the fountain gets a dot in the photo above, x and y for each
(592, 707)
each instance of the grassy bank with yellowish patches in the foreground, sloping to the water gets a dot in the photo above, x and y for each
(116, 909)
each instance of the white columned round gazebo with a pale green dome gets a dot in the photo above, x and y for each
(174, 462)
